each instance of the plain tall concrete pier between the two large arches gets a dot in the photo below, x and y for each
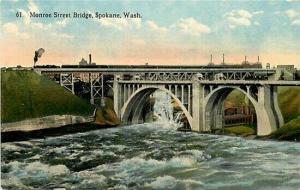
(198, 123)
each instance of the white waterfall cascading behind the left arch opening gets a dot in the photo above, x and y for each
(163, 110)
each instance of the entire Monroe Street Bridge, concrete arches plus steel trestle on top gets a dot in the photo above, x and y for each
(200, 92)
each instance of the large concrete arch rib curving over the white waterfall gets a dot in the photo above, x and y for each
(132, 109)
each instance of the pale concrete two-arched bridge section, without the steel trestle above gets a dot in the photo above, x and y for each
(202, 102)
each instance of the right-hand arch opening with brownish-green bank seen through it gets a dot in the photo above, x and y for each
(231, 109)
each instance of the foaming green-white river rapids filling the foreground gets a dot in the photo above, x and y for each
(149, 156)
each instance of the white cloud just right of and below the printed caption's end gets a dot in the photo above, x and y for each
(192, 27)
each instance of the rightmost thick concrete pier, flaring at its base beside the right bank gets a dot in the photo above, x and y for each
(268, 118)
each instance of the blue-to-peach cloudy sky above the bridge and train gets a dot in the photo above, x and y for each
(168, 32)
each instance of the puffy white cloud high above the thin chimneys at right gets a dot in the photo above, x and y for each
(238, 18)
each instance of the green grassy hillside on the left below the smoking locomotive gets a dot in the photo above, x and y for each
(25, 94)
